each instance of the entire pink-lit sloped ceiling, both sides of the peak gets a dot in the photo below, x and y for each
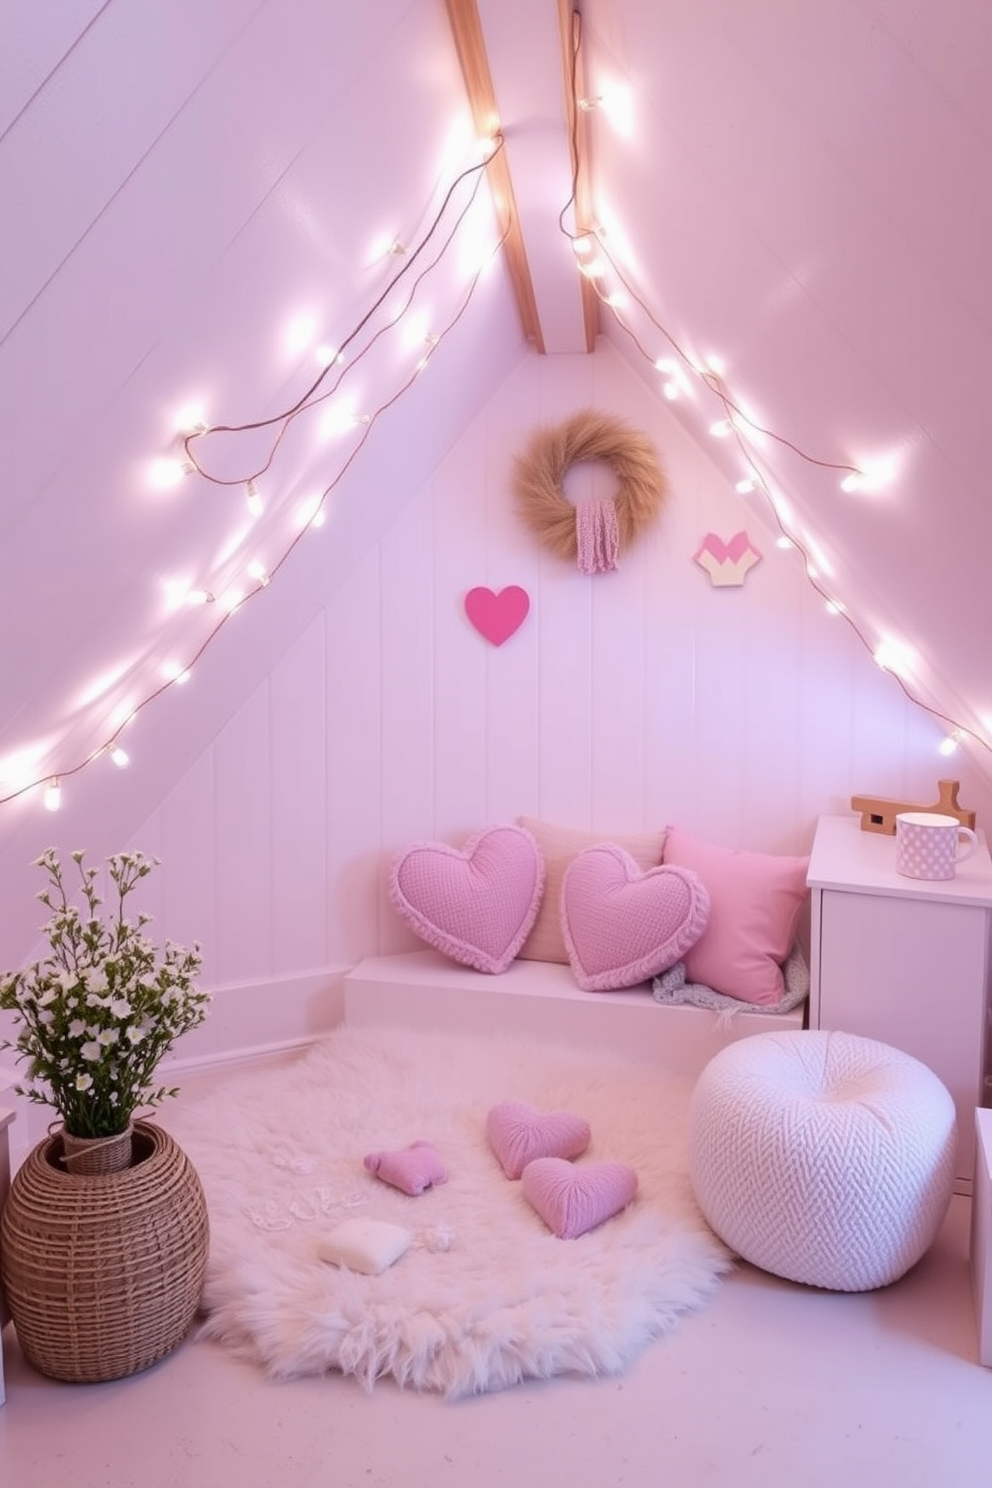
(789, 202)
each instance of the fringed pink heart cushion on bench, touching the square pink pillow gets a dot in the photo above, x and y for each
(621, 925)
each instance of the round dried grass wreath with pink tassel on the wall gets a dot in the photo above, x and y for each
(593, 533)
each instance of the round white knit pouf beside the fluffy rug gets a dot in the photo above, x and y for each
(823, 1157)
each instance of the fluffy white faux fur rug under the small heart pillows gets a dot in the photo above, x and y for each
(487, 1295)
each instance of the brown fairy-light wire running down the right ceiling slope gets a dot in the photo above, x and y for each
(715, 383)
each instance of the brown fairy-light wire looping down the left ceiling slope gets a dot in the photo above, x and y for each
(303, 405)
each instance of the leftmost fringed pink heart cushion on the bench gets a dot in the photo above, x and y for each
(475, 905)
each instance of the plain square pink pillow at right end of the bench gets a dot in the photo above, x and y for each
(755, 904)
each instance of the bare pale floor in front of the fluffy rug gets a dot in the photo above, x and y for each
(771, 1385)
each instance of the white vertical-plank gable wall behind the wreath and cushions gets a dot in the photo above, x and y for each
(625, 702)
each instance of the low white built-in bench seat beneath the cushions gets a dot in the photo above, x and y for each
(541, 999)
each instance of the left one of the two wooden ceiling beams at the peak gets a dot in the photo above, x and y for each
(475, 66)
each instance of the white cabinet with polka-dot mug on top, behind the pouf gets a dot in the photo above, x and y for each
(904, 961)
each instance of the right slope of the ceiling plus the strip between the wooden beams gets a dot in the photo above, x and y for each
(790, 193)
